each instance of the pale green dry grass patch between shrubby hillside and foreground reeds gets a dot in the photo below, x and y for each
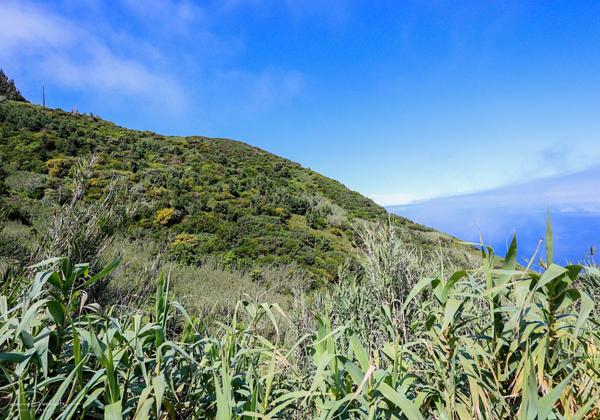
(207, 289)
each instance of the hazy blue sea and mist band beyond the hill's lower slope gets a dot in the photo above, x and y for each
(495, 215)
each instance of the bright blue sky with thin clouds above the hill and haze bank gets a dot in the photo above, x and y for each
(400, 100)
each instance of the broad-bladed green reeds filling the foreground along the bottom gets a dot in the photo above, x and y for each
(495, 342)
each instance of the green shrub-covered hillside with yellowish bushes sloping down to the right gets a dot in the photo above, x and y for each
(198, 196)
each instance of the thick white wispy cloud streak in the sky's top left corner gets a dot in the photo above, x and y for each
(75, 57)
